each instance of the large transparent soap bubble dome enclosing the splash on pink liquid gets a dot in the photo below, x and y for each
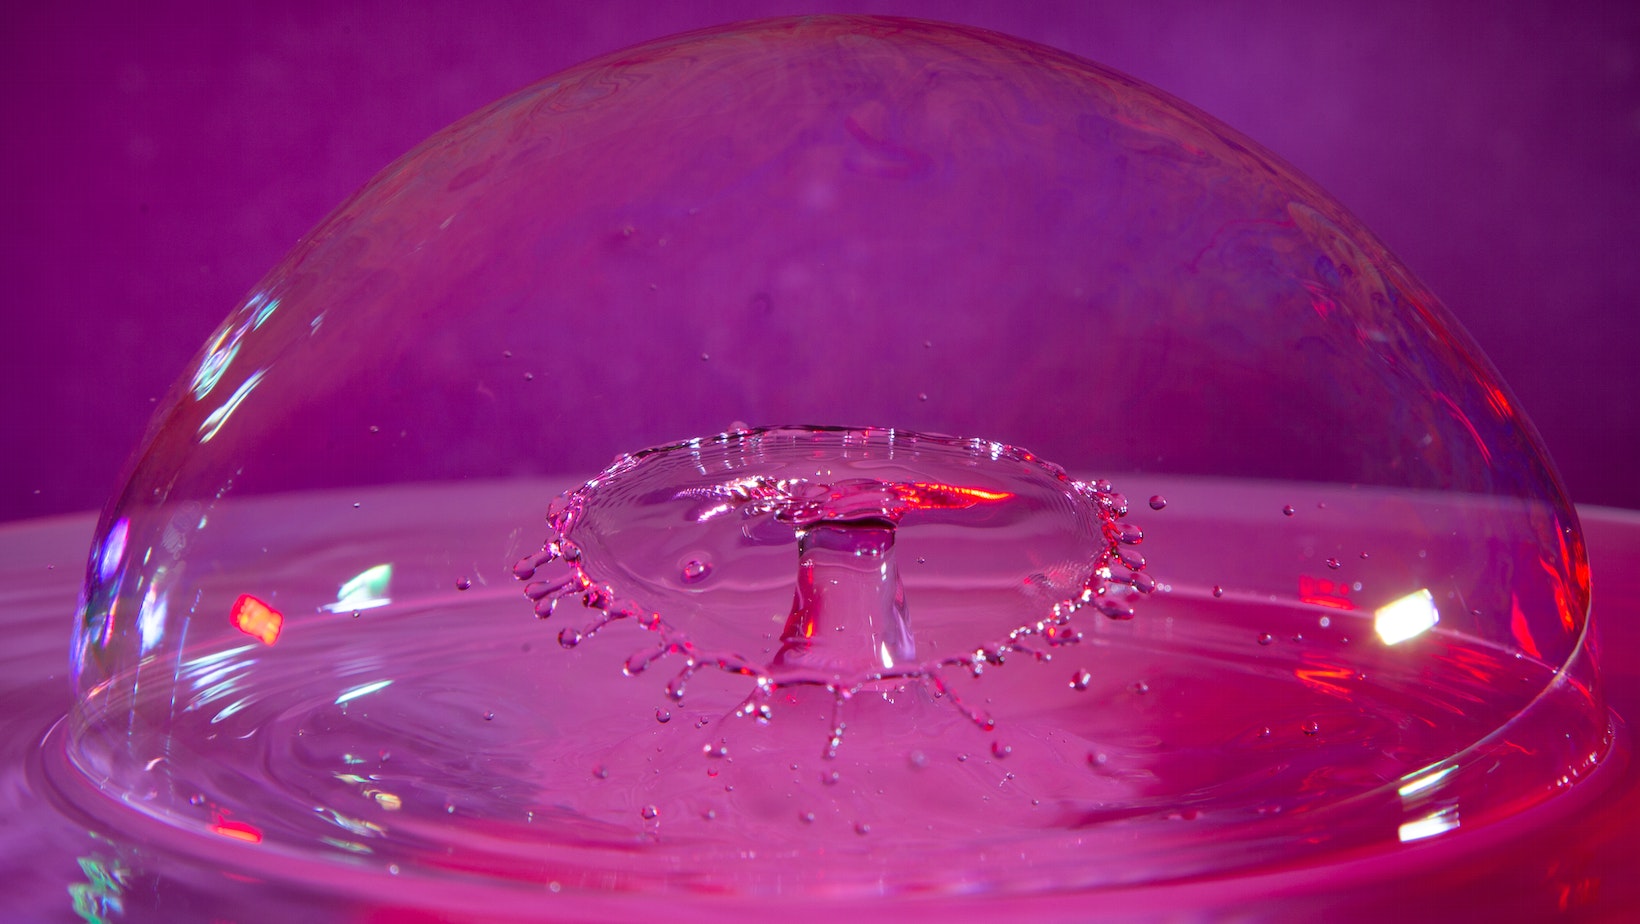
(1023, 483)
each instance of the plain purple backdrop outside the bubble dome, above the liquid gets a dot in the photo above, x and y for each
(162, 157)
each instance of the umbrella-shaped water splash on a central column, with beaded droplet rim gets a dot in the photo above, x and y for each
(709, 542)
